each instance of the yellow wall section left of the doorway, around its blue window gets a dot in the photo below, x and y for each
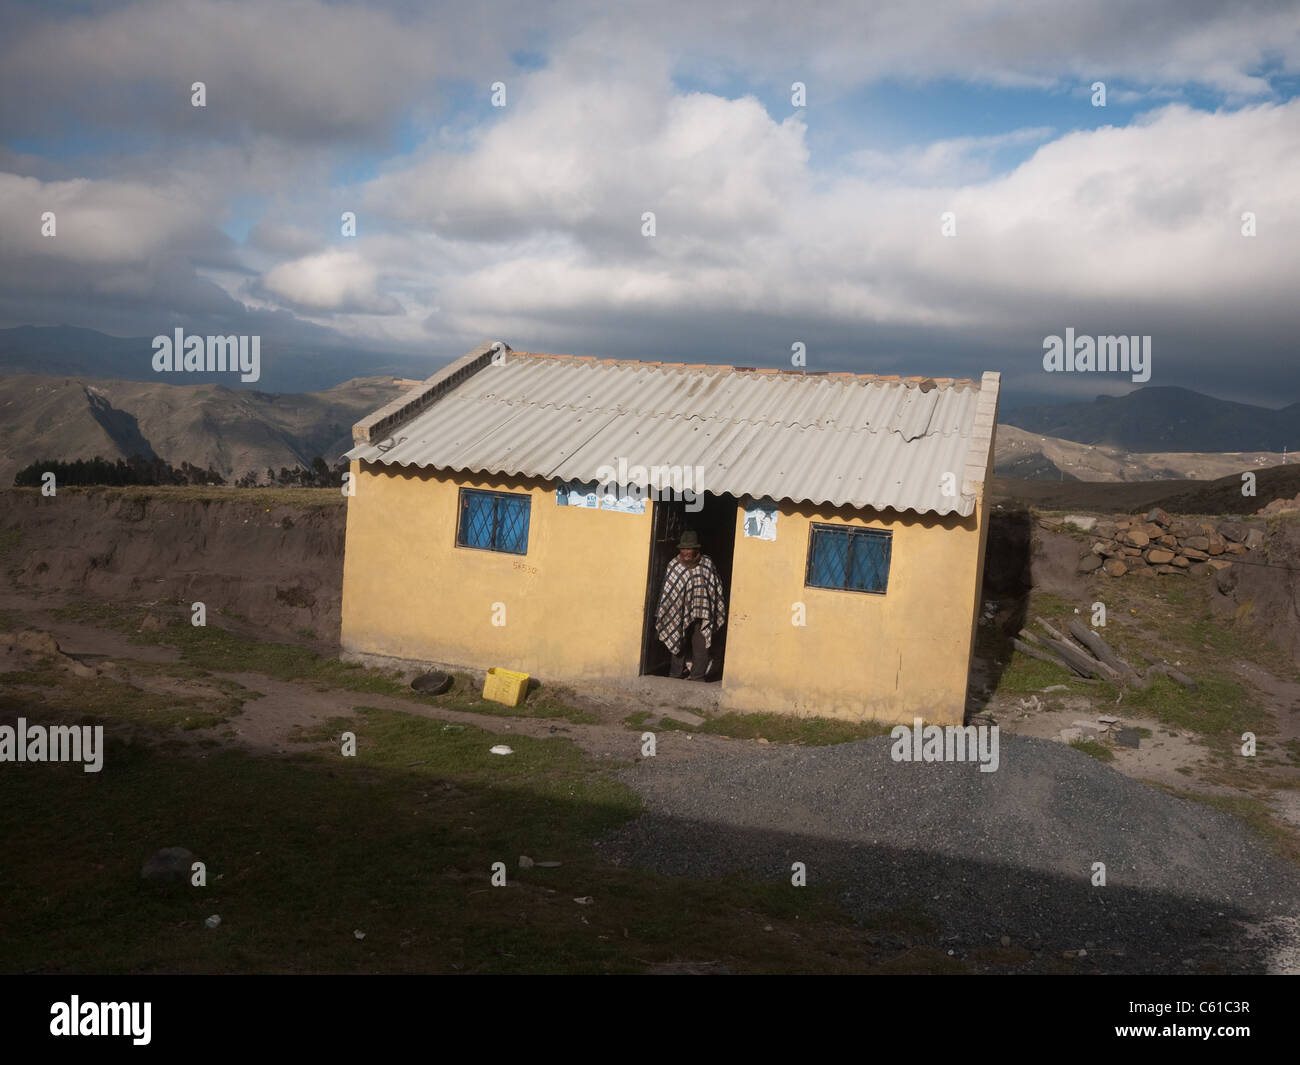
(574, 603)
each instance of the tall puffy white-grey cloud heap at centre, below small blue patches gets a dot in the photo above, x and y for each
(590, 149)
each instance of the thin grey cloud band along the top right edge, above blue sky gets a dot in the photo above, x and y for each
(846, 44)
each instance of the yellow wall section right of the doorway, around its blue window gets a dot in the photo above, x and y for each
(859, 656)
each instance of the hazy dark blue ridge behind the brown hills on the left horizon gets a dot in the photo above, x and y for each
(285, 367)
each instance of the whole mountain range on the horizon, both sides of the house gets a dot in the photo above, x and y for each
(75, 393)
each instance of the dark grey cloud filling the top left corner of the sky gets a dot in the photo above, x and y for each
(298, 70)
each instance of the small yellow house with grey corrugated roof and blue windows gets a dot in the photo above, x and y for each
(521, 510)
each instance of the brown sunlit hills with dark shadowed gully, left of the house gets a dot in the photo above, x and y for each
(71, 418)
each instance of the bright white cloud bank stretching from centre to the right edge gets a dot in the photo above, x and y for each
(1120, 230)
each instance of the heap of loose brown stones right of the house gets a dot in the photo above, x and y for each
(1162, 544)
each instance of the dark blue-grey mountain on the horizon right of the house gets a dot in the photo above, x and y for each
(1165, 419)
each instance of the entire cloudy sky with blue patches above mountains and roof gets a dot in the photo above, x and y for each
(775, 220)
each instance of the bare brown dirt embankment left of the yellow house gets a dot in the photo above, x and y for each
(278, 566)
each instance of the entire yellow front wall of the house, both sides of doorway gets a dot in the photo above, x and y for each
(575, 603)
